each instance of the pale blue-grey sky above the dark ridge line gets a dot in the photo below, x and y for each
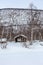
(20, 3)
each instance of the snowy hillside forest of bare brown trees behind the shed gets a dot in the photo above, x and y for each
(28, 22)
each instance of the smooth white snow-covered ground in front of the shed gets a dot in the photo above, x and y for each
(17, 54)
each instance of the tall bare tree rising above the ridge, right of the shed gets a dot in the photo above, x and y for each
(34, 20)
